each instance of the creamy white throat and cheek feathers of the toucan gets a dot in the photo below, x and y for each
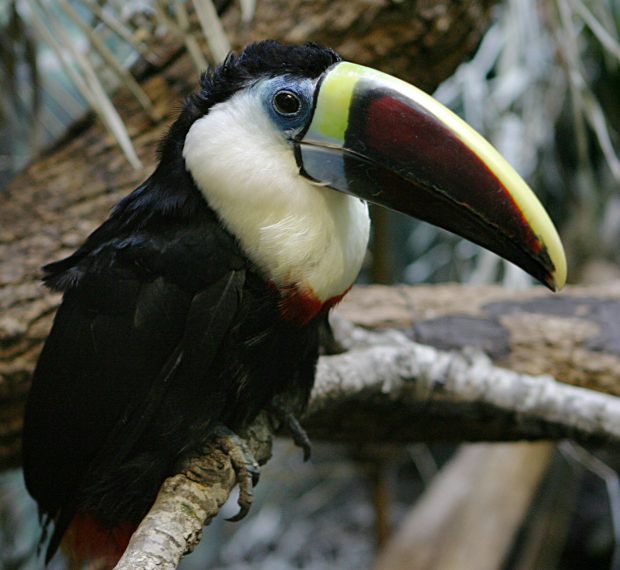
(298, 233)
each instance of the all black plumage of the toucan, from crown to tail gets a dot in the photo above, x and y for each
(165, 329)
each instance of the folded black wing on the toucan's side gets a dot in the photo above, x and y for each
(142, 311)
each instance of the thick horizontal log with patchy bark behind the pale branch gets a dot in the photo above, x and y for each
(573, 337)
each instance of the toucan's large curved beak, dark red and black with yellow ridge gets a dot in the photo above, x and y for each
(379, 138)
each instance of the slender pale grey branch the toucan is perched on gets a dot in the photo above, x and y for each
(381, 371)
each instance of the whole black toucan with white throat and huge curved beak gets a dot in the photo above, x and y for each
(199, 301)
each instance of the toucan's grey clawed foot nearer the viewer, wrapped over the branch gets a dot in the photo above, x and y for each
(243, 463)
